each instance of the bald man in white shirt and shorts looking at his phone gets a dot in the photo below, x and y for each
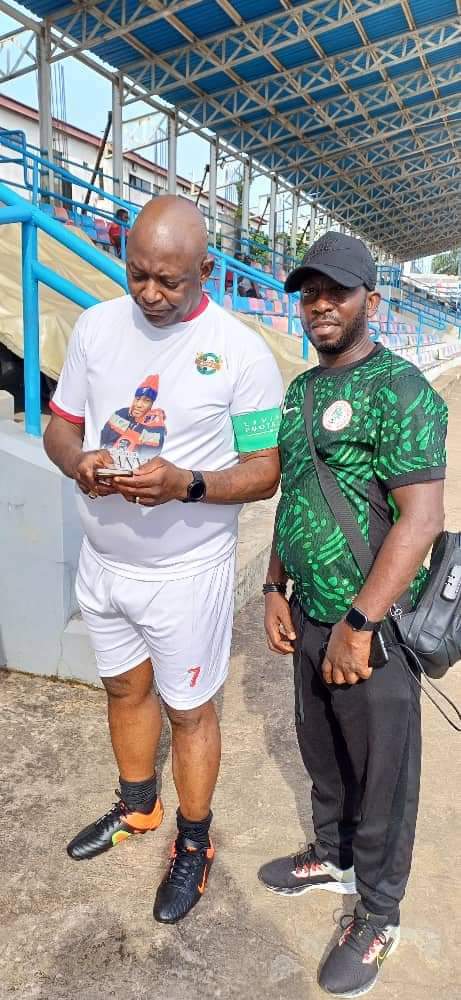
(162, 383)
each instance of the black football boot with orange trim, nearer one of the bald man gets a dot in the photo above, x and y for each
(185, 880)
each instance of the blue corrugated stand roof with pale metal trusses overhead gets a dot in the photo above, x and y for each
(356, 104)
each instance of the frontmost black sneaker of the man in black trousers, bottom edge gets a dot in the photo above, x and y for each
(353, 966)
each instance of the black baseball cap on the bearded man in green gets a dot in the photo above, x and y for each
(343, 258)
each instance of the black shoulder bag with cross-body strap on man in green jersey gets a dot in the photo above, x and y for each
(431, 632)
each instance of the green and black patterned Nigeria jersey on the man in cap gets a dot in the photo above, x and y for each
(378, 424)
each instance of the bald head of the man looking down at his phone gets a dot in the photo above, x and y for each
(167, 259)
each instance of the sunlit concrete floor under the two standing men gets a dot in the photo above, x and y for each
(85, 931)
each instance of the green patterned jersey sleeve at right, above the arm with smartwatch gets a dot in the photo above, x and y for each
(411, 432)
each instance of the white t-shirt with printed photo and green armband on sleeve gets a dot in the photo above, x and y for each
(143, 392)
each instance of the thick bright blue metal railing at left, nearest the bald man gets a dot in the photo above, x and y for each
(31, 219)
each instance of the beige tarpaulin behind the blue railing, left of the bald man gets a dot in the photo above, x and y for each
(57, 314)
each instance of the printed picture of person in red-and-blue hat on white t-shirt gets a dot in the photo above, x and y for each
(136, 433)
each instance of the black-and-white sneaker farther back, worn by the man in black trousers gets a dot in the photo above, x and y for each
(299, 873)
